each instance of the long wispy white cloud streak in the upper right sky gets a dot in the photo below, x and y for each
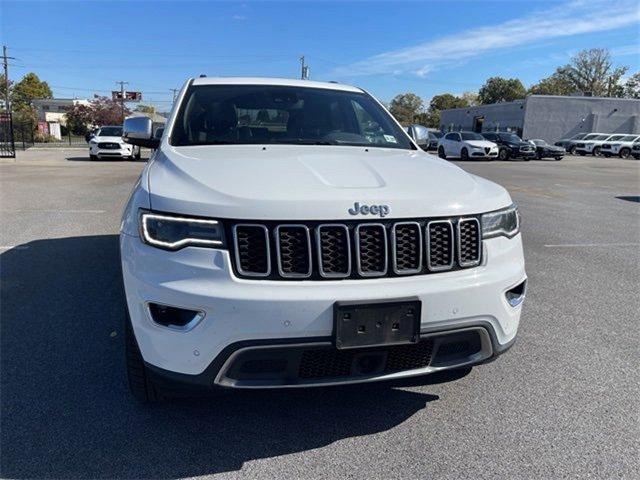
(568, 19)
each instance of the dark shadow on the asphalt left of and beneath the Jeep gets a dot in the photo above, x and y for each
(66, 410)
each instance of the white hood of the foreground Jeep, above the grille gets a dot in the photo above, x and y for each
(313, 183)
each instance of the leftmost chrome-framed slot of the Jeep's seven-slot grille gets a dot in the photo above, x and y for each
(252, 250)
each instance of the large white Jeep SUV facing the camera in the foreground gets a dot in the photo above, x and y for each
(289, 233)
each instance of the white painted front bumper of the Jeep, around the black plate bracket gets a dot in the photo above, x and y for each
(237, 311)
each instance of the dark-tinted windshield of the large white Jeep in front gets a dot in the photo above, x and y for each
(271, 114)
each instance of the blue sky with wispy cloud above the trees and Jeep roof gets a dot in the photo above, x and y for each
(429, 47)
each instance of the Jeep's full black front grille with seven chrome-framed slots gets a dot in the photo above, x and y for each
(349, 250)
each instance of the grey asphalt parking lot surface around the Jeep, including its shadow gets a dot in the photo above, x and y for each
(563, 403)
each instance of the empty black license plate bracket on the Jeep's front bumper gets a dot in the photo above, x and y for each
(358, 325)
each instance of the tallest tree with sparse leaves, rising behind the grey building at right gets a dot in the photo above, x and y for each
(592, 71)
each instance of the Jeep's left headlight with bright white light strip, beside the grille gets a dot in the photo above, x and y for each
(172, 232)
